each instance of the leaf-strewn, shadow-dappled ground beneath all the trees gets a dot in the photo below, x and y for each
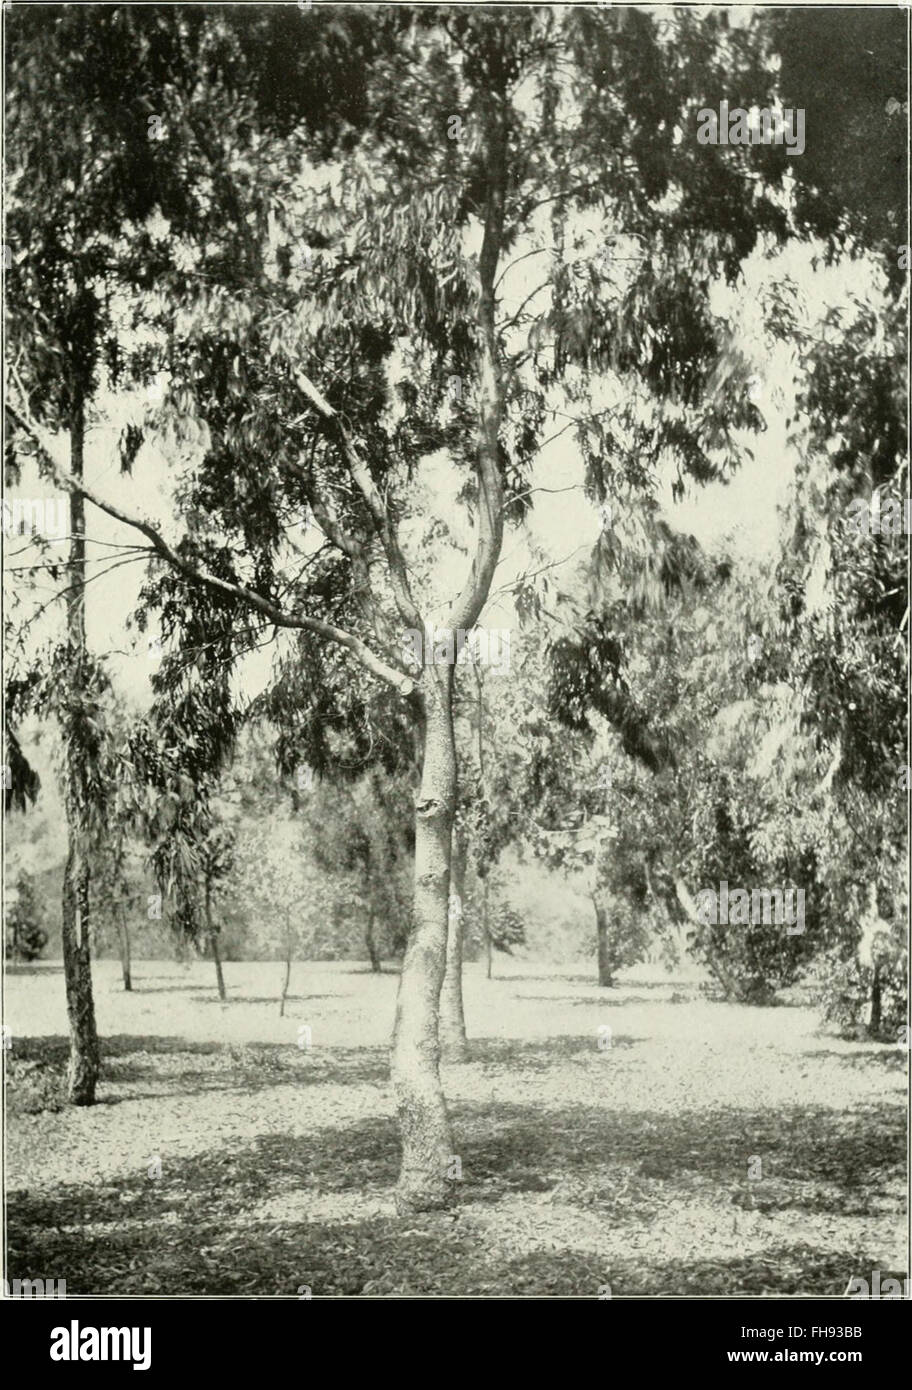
(225, 1159)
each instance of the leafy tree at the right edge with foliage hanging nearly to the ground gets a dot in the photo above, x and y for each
(843, 587)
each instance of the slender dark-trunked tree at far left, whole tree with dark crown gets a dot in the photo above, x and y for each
(83, 180)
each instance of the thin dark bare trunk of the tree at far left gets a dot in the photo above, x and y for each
(84, 1043)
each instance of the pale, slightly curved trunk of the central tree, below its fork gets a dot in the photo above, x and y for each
(415, 1070)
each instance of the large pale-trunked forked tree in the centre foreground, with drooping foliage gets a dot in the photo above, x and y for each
(368, 306)
